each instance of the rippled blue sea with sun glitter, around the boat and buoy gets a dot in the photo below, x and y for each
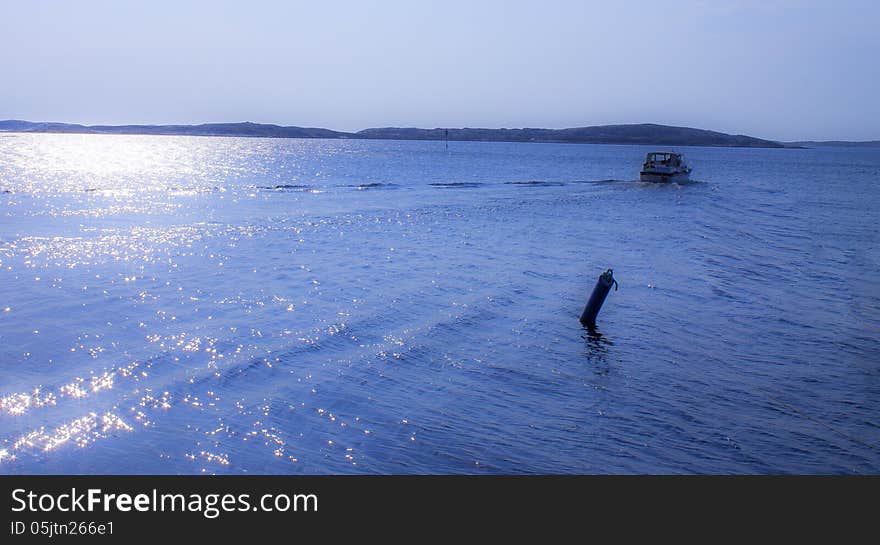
(234, 305)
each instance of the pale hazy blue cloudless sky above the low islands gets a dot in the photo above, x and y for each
(784, 70)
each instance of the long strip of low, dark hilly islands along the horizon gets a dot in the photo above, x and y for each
(644, 133)
